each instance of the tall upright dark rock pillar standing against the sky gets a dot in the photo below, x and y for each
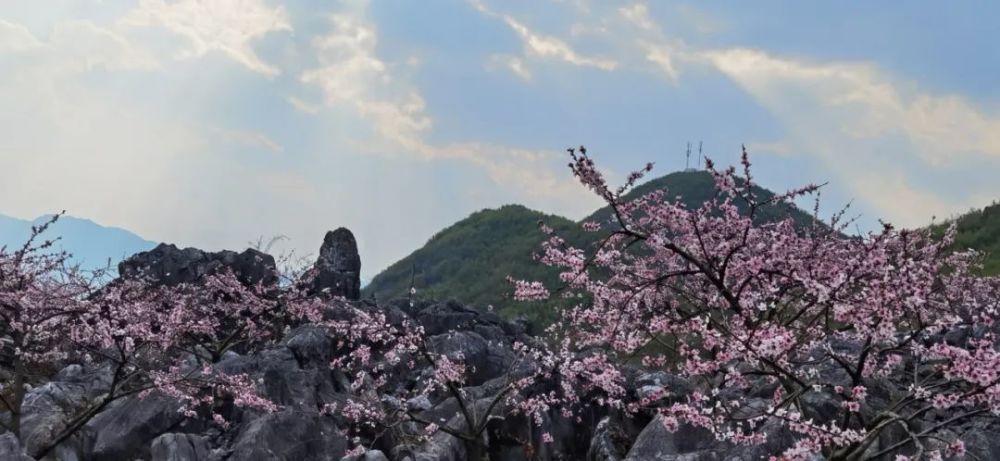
(337, 271)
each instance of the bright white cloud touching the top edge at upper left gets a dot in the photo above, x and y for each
(226, 26)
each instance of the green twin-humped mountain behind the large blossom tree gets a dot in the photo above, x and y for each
(469, 260)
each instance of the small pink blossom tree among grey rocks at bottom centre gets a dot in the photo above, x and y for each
(376, 353)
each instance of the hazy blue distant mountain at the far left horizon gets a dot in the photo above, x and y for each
(91, 245)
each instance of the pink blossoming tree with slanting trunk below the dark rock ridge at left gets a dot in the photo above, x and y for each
(166, 339)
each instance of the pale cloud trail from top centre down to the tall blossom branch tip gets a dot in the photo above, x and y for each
(351, 75)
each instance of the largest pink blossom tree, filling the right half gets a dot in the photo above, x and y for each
(856, 340)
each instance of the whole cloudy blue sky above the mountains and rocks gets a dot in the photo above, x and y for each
(213, 123)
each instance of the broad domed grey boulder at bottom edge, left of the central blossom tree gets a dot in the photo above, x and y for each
(290, 435)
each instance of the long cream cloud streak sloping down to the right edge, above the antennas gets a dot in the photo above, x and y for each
(865, 103)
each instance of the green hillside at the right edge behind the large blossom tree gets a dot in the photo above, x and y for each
(979, 230)
